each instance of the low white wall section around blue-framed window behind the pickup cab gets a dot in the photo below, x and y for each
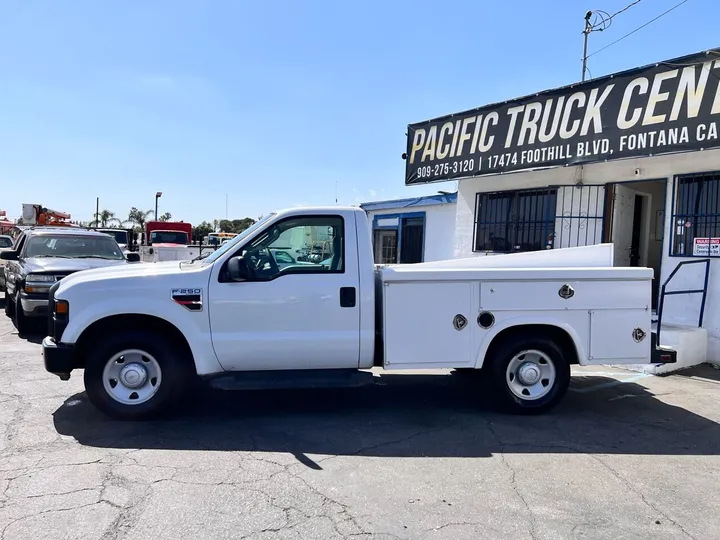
(439, 228)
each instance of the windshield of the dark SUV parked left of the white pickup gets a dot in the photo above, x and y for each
(73, 247)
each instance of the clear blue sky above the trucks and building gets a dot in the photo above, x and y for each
(272, 103)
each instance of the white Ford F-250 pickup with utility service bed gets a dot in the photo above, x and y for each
(145, 333)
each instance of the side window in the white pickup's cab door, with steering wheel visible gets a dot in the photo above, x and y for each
(297, 245)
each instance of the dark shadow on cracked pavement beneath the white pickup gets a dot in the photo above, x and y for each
(406, 416)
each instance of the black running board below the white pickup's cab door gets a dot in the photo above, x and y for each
(291, 379)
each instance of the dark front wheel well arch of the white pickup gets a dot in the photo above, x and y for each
(132, 321)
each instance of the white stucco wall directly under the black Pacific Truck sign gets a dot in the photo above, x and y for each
(680, 309)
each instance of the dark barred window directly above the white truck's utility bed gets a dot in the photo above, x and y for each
(512, 221)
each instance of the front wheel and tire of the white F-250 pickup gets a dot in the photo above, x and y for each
(164, 371)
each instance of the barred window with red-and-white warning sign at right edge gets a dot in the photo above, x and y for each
(696, 215)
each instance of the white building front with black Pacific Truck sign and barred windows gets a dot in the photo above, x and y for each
(632, 159)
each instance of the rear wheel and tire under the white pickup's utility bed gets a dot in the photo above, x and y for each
(532, 358)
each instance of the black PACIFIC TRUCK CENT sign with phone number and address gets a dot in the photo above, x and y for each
(671, 106)
